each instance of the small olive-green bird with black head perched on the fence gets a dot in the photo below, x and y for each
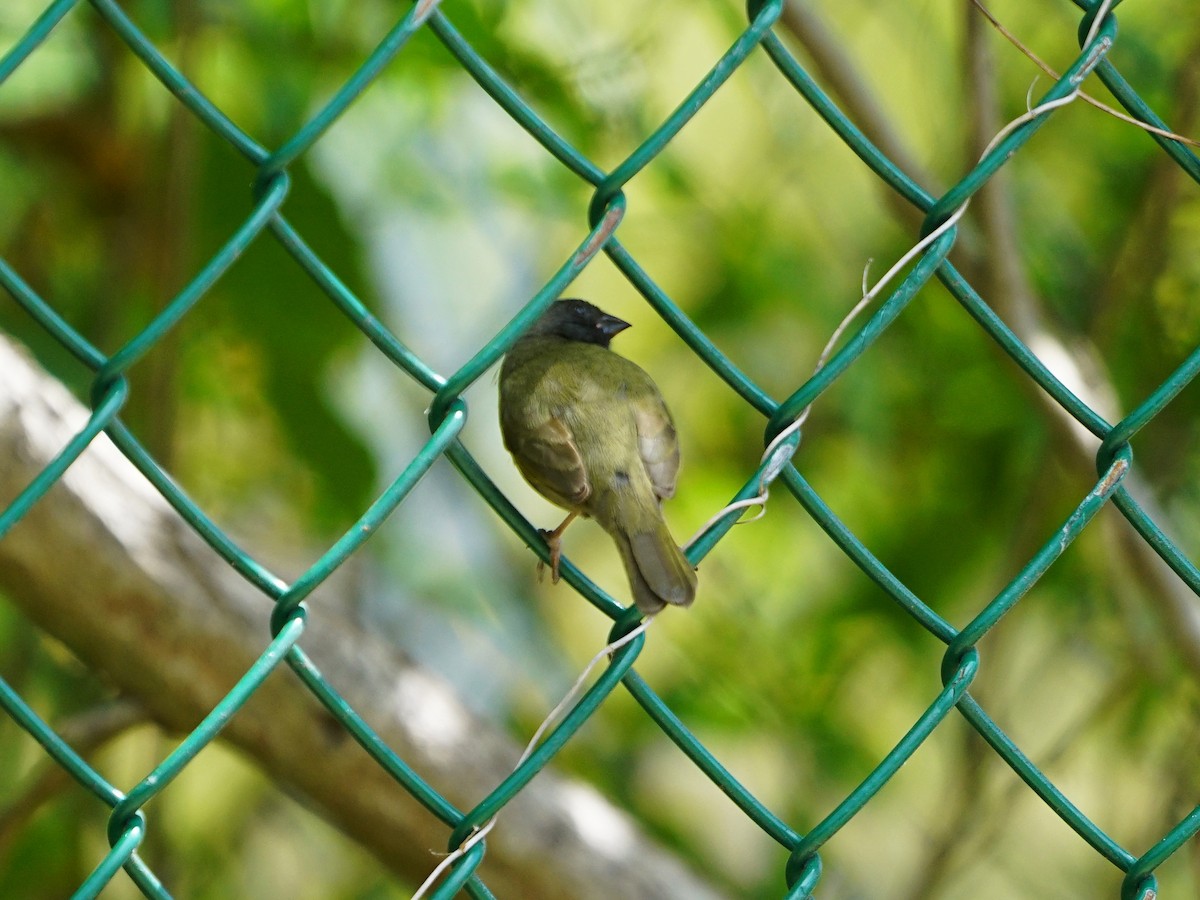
(591, 433)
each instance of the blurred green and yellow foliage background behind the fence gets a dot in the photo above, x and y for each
(446, 218)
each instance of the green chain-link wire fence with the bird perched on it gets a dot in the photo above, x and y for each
(448, 416)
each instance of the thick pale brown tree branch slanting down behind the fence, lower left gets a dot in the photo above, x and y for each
(109, 568)
